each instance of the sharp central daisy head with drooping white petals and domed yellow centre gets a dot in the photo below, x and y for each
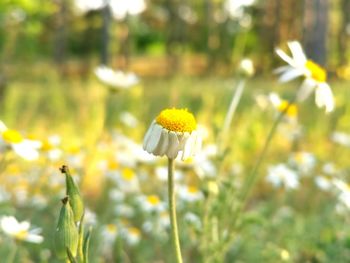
(172, 132)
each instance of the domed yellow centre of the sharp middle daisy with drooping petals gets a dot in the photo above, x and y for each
(177, 120)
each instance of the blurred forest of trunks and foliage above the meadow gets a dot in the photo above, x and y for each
(163, 37)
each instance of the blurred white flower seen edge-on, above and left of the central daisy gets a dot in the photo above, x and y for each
(116, 79)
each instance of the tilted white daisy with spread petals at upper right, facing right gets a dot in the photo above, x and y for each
(315, 76)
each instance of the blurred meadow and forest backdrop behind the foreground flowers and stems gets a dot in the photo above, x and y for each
(186, 54)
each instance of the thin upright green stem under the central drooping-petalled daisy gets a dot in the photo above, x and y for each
(172, 211)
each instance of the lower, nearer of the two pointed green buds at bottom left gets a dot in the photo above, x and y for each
(66, 235)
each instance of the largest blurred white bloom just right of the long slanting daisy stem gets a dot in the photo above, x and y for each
(280, 175)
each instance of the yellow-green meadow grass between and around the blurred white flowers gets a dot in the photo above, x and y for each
(278, 225)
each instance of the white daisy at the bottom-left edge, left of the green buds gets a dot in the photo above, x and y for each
(20, 230)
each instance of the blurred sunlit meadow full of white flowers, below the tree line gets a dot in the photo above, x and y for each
(297, 212)
